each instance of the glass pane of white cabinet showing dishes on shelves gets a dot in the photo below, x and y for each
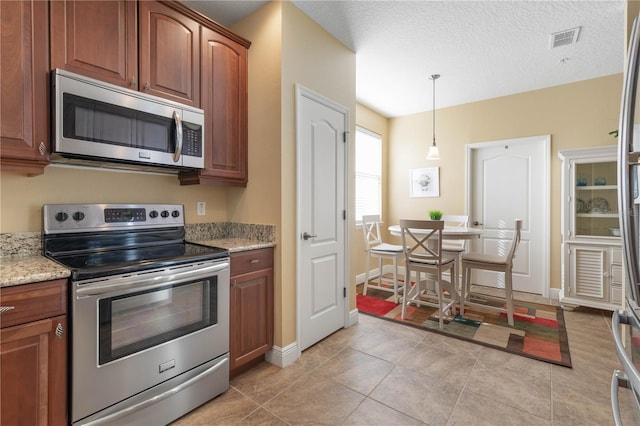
(596, 196)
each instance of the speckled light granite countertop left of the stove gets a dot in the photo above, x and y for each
(26, 269)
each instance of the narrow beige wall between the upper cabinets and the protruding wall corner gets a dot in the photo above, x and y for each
(263, 198)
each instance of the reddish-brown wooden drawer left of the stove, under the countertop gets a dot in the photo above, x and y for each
(33, 302)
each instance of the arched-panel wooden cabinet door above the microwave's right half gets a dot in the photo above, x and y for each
(169, 54)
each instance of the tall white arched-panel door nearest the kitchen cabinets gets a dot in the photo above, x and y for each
(321, 145)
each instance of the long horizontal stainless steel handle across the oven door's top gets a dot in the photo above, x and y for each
(145, 283)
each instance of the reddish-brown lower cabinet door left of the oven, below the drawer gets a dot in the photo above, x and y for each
(34, 373)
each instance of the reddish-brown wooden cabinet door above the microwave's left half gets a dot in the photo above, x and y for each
(96, 39)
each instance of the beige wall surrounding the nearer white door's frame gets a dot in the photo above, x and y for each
(316, 60)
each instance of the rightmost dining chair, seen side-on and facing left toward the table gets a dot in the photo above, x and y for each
(501, 262)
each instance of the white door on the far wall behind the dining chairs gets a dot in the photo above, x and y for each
(509, 180)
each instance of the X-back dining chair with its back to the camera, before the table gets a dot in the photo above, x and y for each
(422, 247)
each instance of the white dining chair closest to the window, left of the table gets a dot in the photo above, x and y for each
(375, 247)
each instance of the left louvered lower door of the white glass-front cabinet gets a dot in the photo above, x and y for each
(589, 273)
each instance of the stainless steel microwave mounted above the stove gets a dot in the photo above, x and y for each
(105, 124)
